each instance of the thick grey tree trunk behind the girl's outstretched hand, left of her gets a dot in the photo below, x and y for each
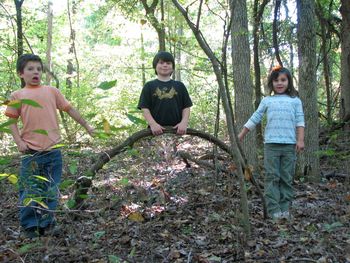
(241, 76)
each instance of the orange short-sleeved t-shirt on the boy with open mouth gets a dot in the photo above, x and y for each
(39, 118)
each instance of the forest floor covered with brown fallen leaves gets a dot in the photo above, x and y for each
(147, 206)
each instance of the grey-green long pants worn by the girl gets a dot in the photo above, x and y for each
(279, 164)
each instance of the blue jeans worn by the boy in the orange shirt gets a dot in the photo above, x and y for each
(36, 191)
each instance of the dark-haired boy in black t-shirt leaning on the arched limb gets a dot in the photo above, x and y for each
(163, 101)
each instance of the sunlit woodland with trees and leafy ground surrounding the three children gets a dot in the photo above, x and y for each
(146, 204)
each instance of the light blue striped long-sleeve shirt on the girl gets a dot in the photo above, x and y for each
(284, 114)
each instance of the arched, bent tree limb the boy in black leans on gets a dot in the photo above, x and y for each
(84, 183)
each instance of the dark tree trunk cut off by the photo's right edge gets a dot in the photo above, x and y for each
(345, 62)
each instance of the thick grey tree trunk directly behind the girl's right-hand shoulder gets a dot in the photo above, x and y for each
(309, 161)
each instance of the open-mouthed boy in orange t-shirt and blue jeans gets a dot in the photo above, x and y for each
(40, 132)
